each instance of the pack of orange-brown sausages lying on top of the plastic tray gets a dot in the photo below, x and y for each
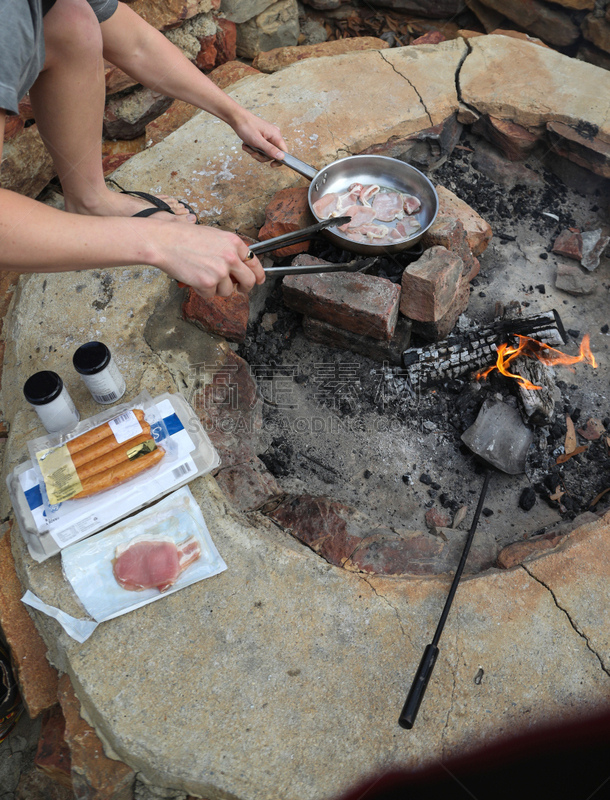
(101, 453)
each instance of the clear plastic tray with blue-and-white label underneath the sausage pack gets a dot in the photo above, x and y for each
(48, 528)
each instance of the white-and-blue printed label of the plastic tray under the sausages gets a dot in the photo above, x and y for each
(85, 516)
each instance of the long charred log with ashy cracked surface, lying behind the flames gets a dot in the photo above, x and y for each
(471, 351)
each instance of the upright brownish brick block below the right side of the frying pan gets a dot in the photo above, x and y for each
(429, 285)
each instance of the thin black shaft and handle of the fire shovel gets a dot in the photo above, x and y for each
(426, 665)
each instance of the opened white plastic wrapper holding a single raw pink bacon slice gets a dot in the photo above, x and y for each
(91, 566)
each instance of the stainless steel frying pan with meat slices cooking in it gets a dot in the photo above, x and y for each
(387, 172)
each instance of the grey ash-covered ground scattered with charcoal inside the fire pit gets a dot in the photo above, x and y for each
(340, 425)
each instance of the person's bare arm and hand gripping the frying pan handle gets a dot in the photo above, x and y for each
(146, 55)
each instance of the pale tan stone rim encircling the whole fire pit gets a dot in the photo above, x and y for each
(284, 676)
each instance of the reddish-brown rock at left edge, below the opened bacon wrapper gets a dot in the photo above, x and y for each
(36, 677)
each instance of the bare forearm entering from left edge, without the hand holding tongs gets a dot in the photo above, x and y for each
(37, 238)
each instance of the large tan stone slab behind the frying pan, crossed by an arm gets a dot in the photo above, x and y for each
(326, 108)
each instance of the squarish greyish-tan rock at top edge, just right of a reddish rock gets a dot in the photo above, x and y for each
(277, 26)
